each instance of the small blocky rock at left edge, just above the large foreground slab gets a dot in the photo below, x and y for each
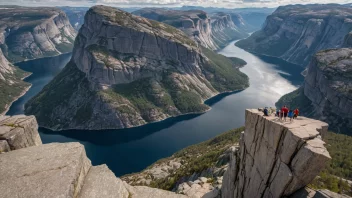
(18, 132)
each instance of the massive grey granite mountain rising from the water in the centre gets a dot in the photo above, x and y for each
(128, 71)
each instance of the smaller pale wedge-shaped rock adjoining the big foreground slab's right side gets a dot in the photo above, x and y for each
(100, 182)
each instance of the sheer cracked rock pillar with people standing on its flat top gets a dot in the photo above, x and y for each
(275, 159)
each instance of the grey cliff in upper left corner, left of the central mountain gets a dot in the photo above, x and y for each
(29, 33)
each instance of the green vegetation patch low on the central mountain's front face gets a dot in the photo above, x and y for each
(148, 95)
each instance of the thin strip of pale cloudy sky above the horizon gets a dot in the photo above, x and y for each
(167, 3)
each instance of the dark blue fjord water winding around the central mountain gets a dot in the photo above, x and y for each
(131, 150)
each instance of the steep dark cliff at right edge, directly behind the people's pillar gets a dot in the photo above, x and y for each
(326, 92)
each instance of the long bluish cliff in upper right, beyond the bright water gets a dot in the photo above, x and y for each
(296, 32)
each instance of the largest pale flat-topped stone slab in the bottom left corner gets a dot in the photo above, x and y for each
(50, 170)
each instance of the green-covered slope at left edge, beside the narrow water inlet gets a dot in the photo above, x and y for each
(9, 92)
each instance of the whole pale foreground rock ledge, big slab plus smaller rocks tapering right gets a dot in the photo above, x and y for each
(63, 170)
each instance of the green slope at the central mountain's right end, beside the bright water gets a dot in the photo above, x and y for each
(224, 76)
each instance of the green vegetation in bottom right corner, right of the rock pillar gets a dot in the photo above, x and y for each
(340, 149)
